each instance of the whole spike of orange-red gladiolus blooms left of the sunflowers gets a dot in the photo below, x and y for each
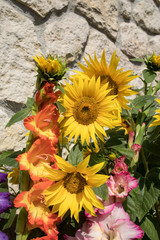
(44, 132)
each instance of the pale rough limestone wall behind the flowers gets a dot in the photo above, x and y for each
(71, 29)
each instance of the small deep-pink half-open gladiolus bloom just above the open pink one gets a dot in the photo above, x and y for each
(120, 166)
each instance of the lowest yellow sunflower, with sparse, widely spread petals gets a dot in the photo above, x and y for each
(72, 189)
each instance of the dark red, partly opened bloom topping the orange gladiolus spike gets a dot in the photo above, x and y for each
(46, 95)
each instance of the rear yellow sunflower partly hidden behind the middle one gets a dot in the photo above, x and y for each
(116, 78)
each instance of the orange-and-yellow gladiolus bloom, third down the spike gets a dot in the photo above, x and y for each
(40, 153)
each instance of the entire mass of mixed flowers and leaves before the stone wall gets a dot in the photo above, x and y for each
(91, 166)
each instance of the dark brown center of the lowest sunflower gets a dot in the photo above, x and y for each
(74, 182)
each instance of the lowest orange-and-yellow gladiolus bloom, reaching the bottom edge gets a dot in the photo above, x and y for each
(39, 214)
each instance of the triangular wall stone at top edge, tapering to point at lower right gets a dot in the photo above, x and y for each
(102, 14)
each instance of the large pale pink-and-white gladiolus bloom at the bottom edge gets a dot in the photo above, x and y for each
(115, 224)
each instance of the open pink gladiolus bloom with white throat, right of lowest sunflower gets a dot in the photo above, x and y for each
(121, 184)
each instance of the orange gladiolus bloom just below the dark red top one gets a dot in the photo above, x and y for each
(44, 124)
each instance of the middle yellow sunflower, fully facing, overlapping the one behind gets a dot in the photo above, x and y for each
(88, 109)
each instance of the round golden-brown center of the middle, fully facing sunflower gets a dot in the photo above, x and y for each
(85, 110)
